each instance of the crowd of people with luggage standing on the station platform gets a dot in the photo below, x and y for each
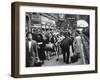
(41, 45)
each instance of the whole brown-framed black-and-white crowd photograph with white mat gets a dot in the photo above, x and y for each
(52, 39)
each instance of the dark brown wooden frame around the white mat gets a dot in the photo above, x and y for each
(15, 39)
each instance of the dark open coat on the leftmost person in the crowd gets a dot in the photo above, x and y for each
(30, 53)
